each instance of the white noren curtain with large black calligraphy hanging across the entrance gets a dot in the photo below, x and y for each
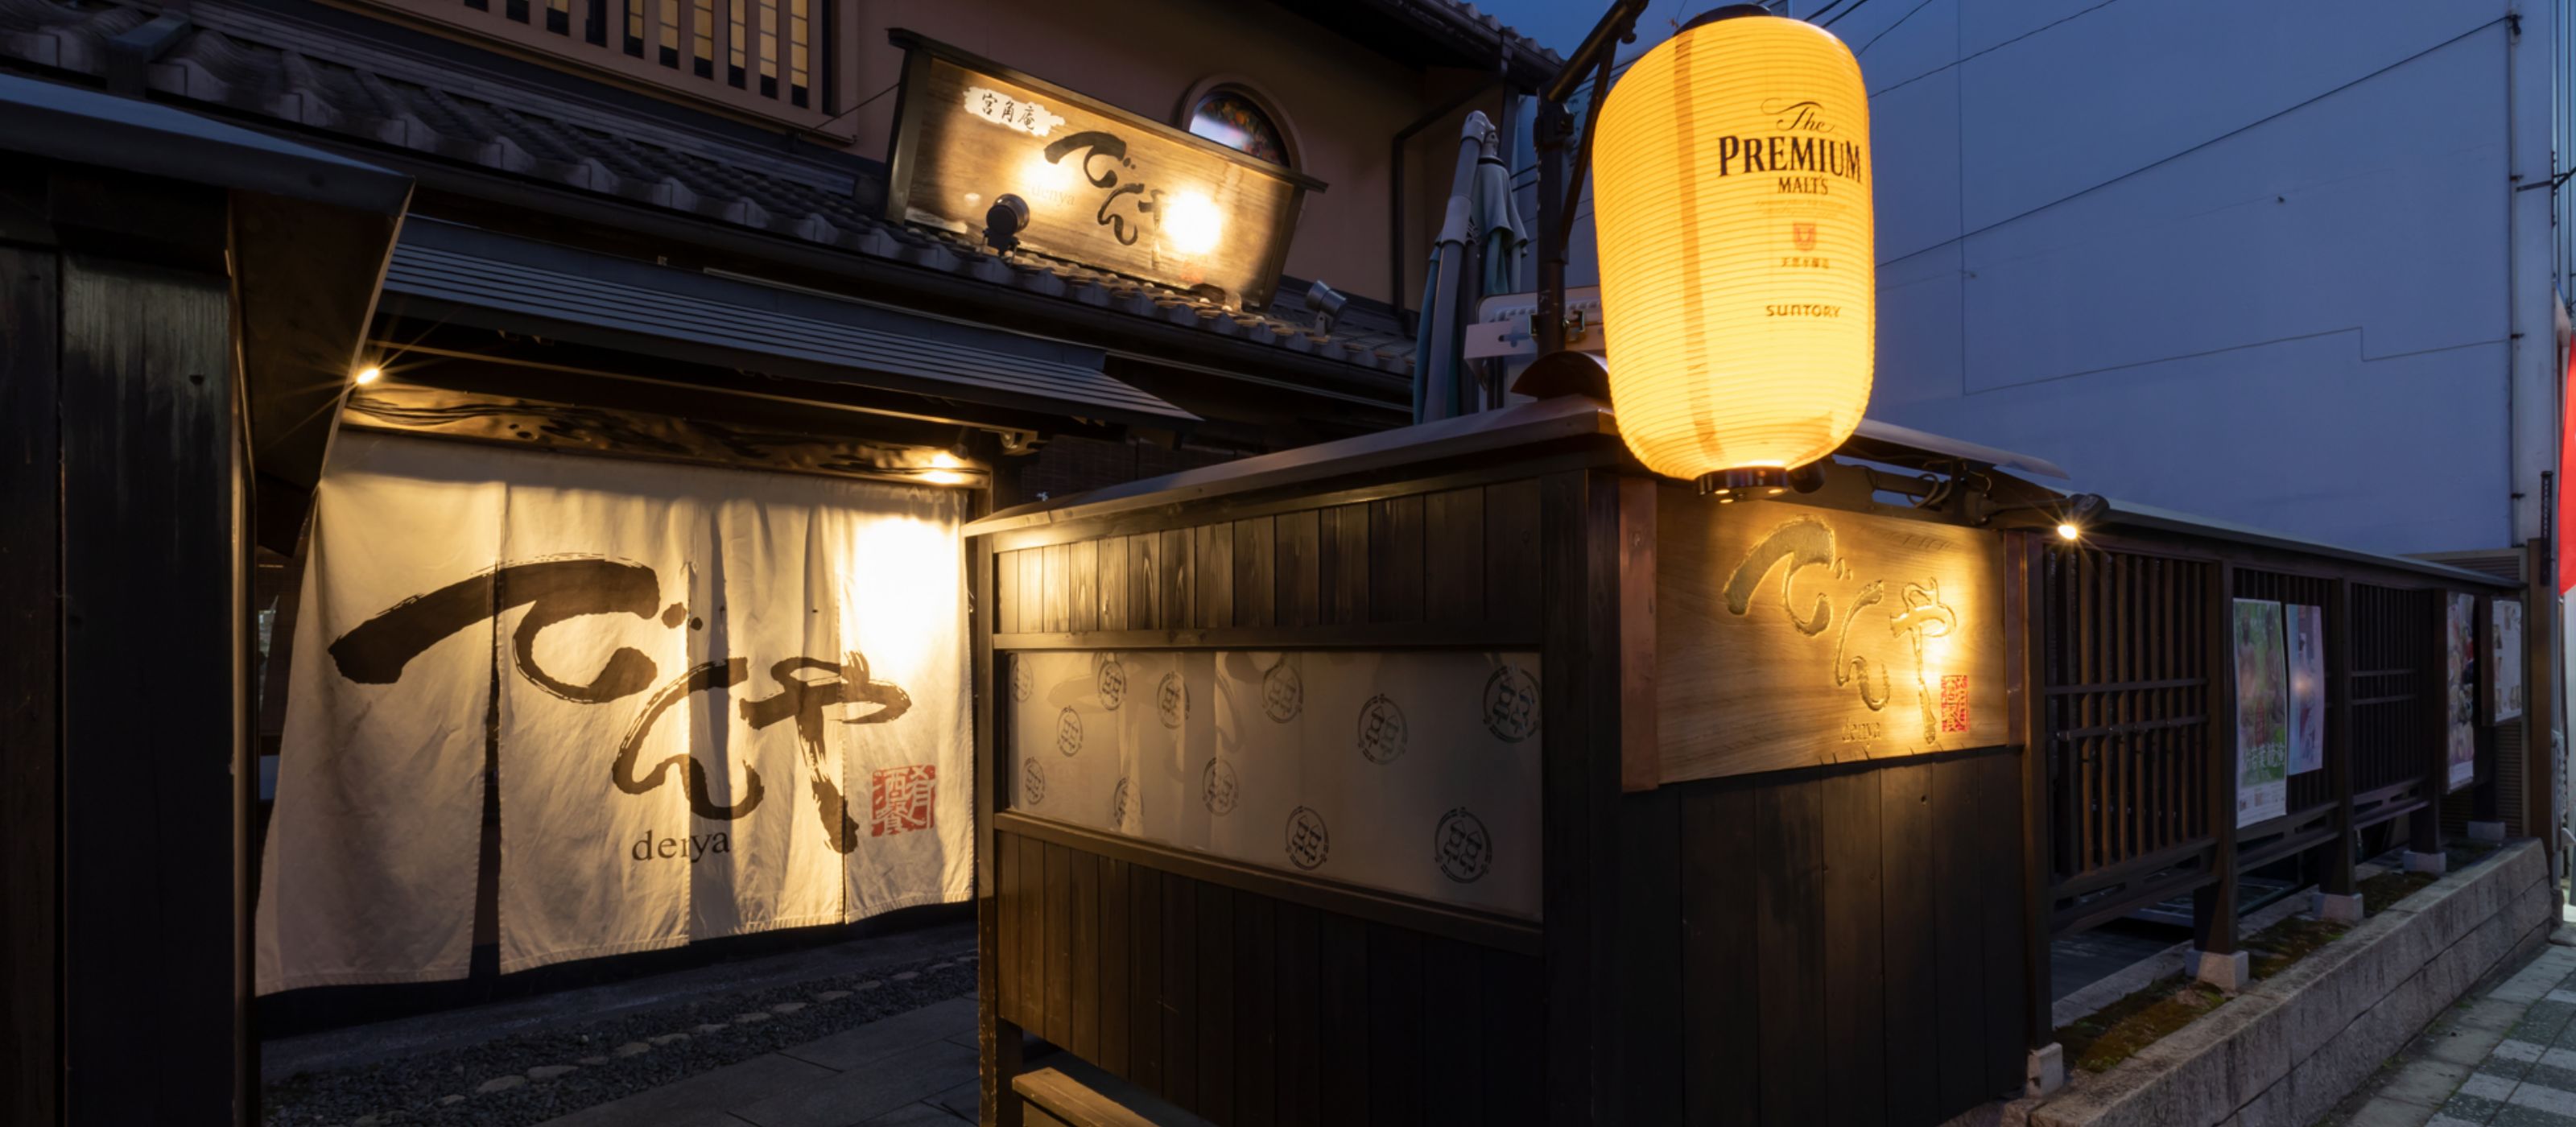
(715, 704)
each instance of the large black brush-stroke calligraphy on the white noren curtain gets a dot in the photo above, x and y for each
(565, 588)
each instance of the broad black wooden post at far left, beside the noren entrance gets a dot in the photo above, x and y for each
(156, 711)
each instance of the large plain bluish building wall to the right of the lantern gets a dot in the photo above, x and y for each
(2248, 259)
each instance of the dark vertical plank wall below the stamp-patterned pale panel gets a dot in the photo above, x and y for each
(1258, 1012)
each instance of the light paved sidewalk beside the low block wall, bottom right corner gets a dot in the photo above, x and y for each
(2505, 1059)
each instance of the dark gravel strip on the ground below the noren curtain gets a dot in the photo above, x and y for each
(609, 1059)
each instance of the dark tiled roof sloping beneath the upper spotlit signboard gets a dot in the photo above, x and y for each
(267, 66)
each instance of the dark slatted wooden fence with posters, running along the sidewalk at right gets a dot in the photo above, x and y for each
(2137, 722)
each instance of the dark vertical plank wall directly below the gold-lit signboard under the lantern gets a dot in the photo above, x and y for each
(1853, 917)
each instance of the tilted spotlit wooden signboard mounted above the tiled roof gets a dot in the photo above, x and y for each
(1104, 187)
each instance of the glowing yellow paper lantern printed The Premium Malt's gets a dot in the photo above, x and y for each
(1732, 199)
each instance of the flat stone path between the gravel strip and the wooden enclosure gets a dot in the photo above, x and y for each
(905, 1072)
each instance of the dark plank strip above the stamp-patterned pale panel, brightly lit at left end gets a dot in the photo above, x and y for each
(1459, 560)
